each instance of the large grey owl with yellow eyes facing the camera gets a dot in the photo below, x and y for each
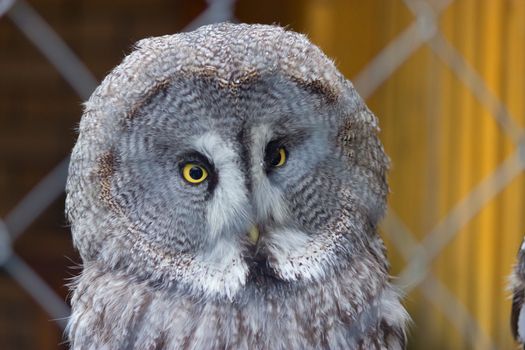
(224, 193)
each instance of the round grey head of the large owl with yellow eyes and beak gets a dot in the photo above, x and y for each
(225, 157)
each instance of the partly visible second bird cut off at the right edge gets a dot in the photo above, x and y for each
(517, 279)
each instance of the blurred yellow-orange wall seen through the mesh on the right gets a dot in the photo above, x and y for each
(444, 140)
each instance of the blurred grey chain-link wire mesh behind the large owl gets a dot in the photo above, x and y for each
(419, 255)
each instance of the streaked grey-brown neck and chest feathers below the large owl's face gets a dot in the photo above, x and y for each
(111, 308)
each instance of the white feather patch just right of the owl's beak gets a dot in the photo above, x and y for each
(296, 256)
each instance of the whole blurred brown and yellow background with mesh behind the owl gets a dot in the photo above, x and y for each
(445, 78)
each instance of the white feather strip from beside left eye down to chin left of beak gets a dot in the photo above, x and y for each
(221, 270)
